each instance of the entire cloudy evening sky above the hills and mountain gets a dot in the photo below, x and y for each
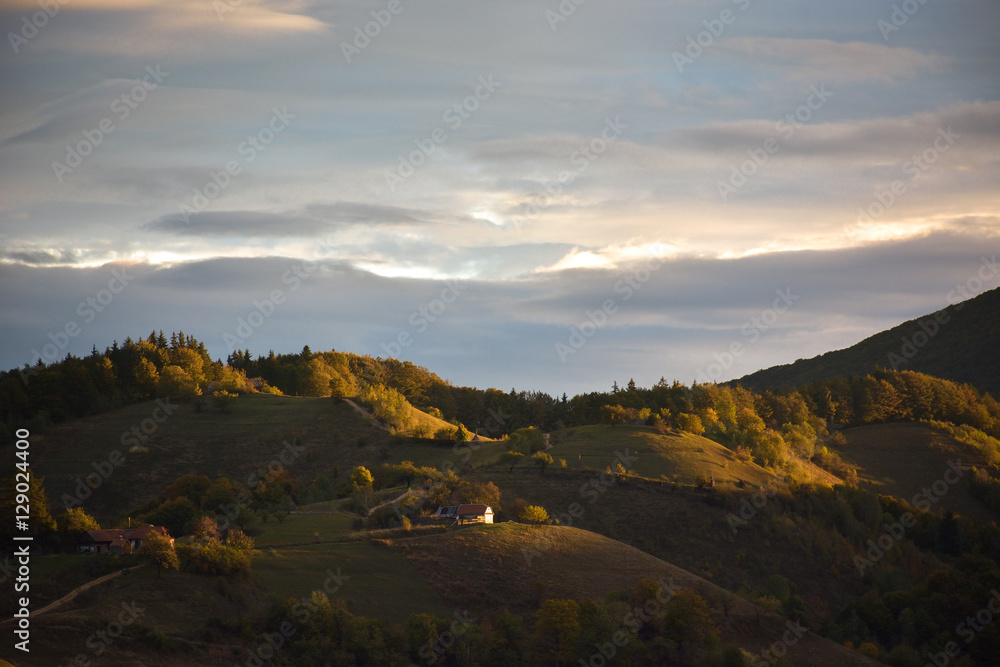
(543, 195)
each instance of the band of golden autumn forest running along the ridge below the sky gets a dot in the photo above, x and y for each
(766, 425)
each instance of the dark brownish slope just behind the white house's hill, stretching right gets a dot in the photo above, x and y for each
(689, 528)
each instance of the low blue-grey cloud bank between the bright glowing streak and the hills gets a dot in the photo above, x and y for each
(504, 332)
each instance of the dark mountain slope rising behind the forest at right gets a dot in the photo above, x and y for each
(963, 350)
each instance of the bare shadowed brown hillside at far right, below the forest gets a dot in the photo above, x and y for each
(903, 459)
